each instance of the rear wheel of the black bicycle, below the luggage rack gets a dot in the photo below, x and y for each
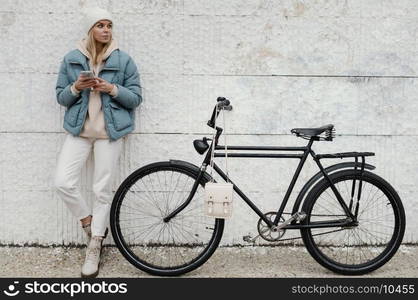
(362, 248)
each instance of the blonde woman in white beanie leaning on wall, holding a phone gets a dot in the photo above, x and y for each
(100, 111)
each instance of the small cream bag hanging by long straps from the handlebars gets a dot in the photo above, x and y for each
(218, 196)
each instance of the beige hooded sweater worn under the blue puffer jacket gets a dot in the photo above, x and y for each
(94, 126)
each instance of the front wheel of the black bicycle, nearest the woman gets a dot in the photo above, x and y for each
(163, 248)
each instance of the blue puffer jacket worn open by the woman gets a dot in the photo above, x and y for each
(119, 112)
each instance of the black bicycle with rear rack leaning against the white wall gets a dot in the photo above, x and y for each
(351, 220)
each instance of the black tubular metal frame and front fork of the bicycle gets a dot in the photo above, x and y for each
(307, 150)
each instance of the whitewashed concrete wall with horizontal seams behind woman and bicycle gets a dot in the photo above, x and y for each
(283, 64)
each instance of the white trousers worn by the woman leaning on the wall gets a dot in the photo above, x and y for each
(72, 158)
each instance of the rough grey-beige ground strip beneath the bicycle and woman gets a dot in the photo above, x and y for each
(283, 261)
